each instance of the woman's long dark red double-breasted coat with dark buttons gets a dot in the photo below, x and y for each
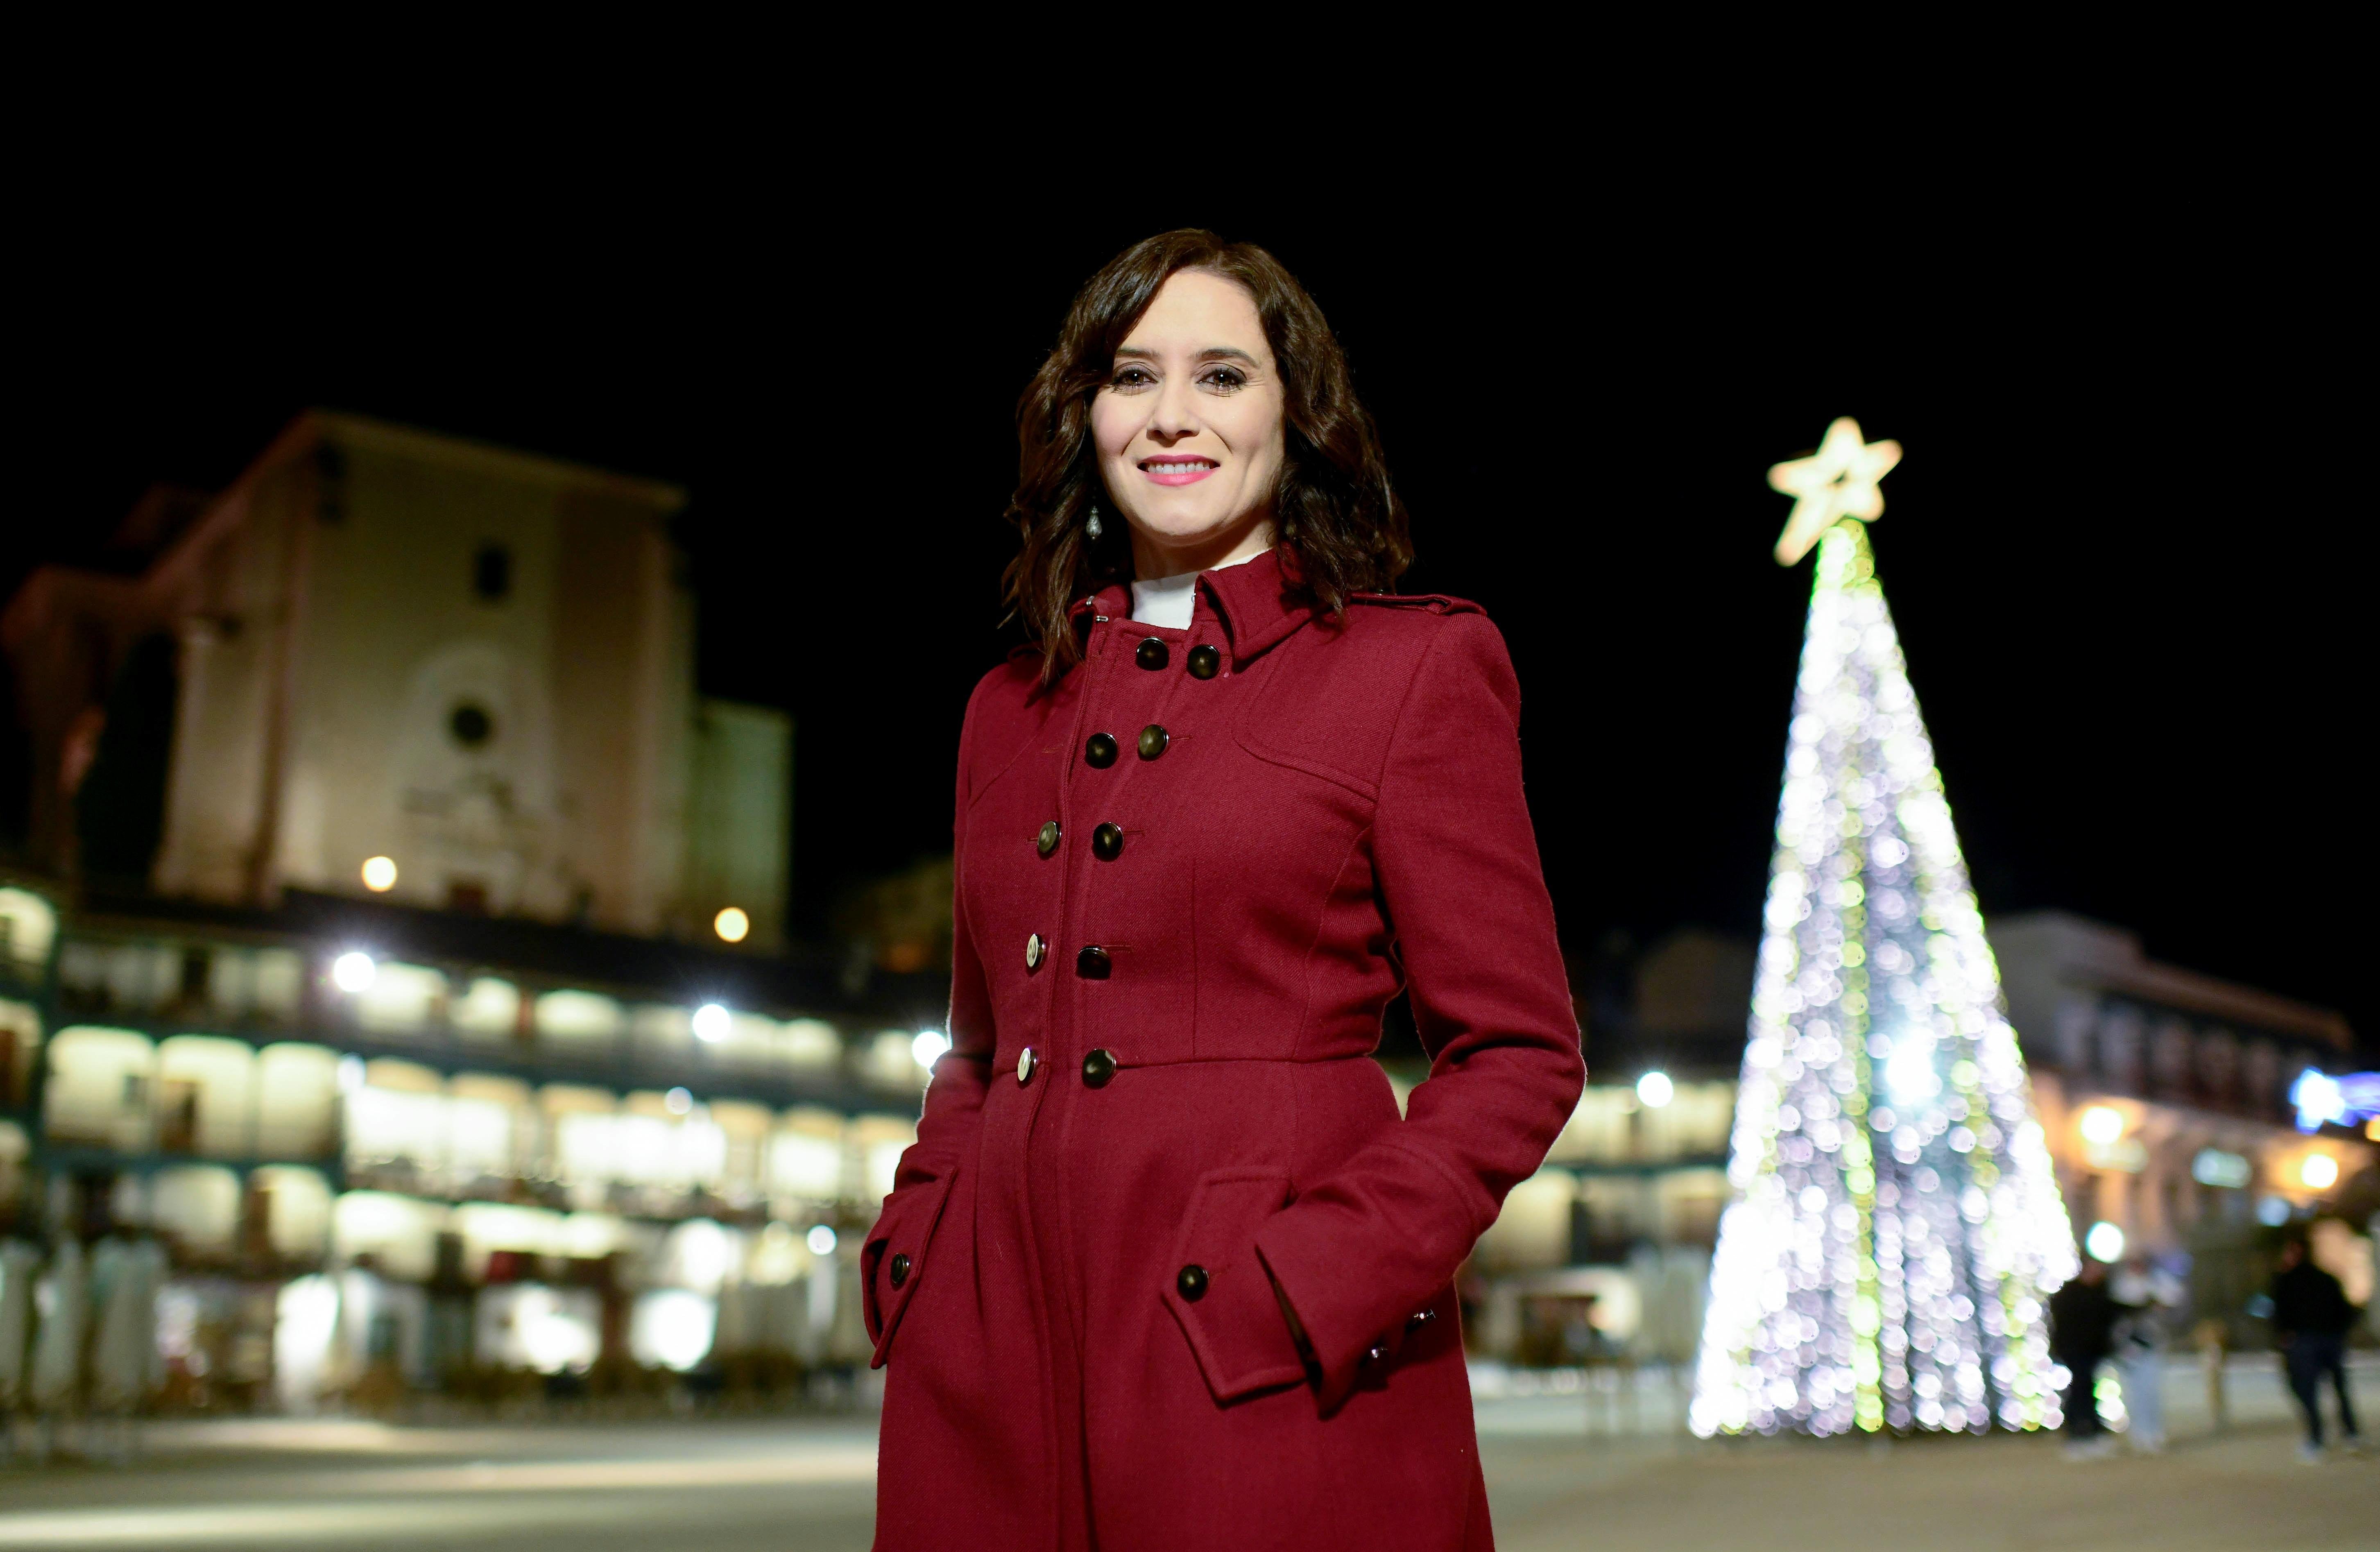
(1191, 877)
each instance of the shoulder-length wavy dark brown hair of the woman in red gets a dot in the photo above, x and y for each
(1334, 503)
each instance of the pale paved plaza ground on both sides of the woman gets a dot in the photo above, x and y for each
(1570, 1465)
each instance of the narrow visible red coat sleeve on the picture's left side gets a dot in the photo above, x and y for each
(953, 1113)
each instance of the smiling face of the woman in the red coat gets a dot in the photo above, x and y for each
(1189, 430)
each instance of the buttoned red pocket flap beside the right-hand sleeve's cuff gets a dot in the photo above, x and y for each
(1220, 1291)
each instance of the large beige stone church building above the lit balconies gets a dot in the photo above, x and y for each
(468, 665)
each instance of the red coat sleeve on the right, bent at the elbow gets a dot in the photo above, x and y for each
(1458, 868)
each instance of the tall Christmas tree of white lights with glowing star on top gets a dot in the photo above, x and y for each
(1896, 1222)
